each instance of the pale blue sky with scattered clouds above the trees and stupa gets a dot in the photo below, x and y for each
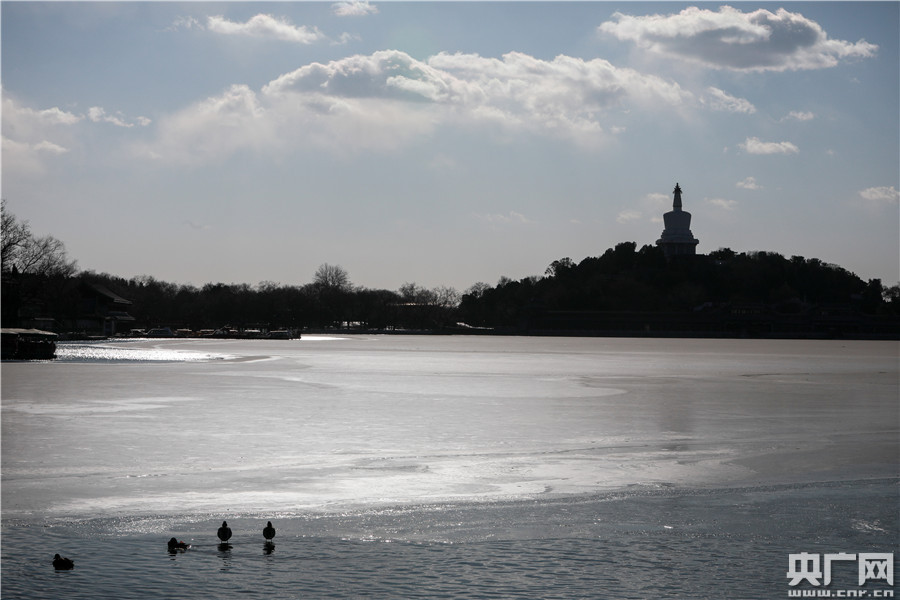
(447, 143)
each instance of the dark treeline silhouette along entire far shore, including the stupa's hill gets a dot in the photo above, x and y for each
(624, 291)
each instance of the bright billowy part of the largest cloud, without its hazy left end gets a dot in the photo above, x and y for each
(565, 97)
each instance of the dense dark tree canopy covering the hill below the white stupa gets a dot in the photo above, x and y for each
(625, 279)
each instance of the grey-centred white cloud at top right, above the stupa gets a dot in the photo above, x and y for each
(730, 39)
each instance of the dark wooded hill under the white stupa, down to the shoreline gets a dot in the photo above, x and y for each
(640, 292)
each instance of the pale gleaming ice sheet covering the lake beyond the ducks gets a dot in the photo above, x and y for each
(196, 426)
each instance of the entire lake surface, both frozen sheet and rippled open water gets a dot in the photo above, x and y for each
(448, 467)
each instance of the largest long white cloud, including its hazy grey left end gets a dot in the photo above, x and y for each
(387, 99)
